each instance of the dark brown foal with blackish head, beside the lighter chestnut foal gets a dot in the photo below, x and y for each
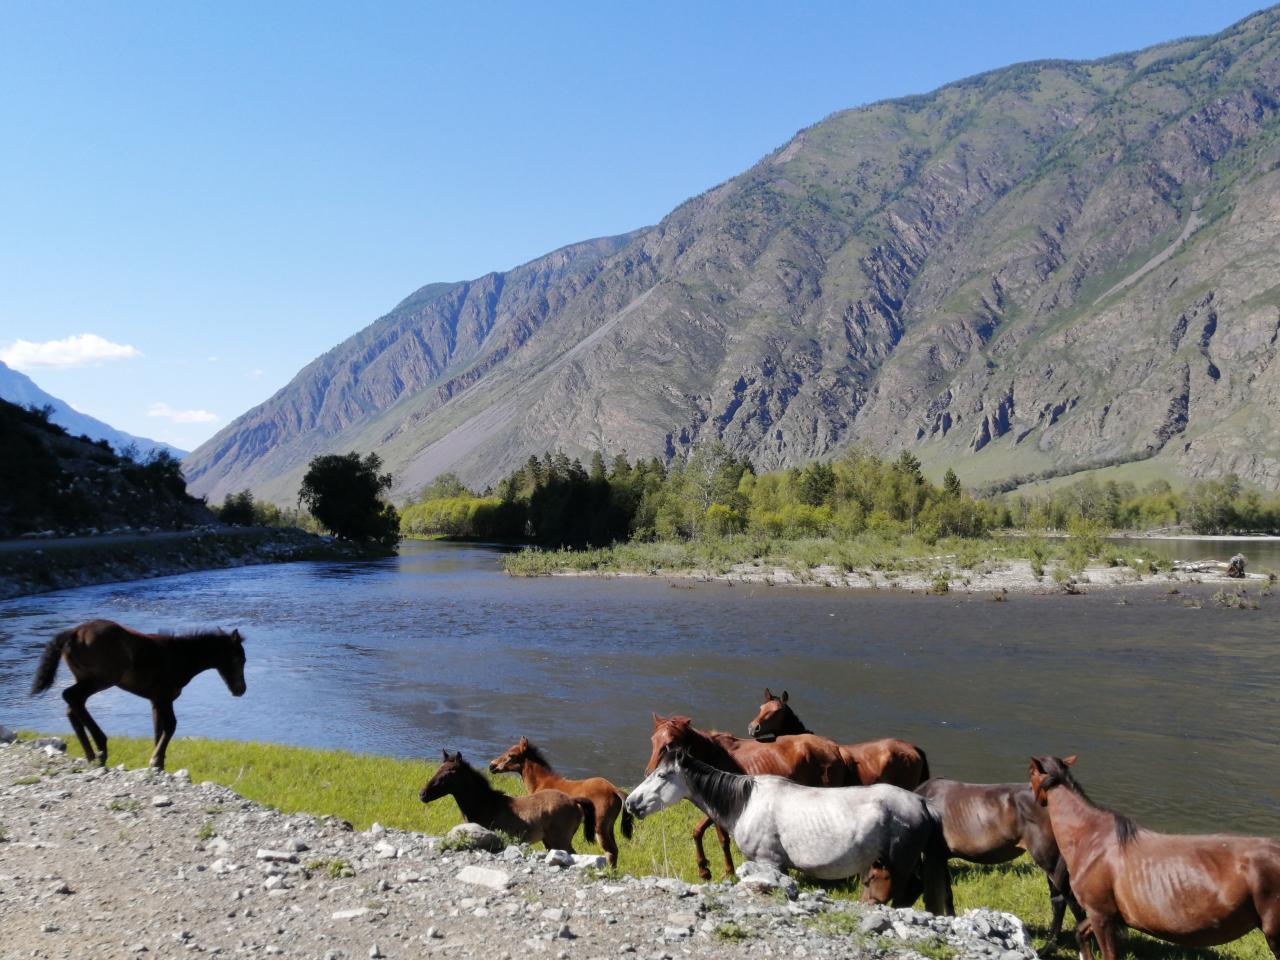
(548, 816)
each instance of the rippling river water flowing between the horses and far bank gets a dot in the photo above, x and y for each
(1173, 710)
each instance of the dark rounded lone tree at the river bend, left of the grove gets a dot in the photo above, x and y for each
(345, 495)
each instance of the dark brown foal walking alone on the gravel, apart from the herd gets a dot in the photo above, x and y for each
(102, 655)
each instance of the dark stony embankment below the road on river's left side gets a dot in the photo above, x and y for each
(36, 566)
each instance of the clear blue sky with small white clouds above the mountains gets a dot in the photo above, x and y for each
(223, 191)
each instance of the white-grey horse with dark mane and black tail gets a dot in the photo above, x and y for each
(830, 833)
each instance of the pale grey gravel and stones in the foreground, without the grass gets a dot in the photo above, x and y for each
(138, 865)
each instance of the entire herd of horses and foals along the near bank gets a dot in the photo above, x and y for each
(792, 799)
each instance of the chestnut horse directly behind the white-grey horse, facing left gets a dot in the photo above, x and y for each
(807, 760)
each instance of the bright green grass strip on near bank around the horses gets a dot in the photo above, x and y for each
(364, 789)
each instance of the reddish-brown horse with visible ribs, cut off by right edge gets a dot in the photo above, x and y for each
(1196, 892)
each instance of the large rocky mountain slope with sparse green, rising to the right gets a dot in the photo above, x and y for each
(1044, 268)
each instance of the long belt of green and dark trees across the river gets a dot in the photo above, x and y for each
(557, 502)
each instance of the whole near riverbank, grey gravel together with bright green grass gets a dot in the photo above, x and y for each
(158, 862)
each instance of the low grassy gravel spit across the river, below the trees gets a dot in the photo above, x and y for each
(980, 566)
